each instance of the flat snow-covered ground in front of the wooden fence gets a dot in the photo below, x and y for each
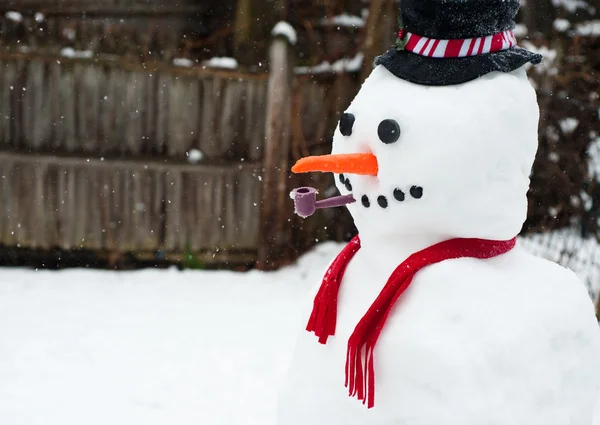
(156, 347)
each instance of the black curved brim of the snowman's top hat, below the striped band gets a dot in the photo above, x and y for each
(429, 71)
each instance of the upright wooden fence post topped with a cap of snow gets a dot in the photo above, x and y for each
(275, 202)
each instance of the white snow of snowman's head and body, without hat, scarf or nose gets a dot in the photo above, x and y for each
(510, 340)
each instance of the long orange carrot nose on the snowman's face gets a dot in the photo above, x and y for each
(354, 163)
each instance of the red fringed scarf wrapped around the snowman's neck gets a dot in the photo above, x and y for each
(360, 377)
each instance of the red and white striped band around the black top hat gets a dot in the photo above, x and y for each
(458, 48)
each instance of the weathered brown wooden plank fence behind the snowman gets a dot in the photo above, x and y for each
(95, 154)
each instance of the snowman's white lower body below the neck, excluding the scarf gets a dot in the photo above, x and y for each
(509, 342)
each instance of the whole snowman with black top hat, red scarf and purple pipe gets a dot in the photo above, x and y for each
(433, 314)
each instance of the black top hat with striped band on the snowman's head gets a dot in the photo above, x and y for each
(445, 42)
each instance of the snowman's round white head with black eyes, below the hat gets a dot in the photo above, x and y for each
(451, 161)
